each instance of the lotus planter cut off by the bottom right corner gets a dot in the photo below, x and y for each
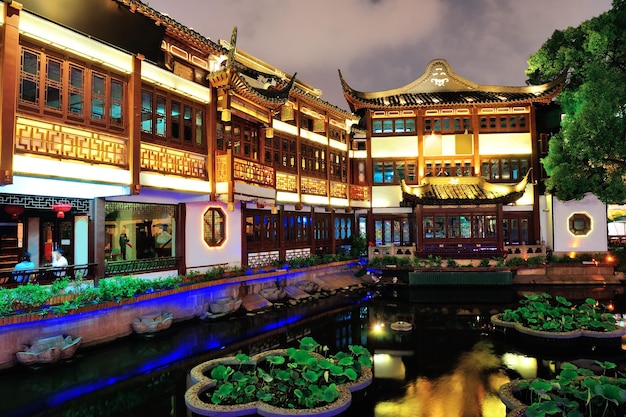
(575, 392)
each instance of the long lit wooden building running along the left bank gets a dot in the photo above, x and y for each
(138, 144)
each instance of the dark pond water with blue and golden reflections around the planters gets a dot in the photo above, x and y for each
(450, 364)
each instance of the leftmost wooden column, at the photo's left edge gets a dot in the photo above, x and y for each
(9, 67)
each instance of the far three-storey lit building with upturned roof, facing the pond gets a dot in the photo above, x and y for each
(454, 166)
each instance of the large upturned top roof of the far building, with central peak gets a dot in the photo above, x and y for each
(439, 85)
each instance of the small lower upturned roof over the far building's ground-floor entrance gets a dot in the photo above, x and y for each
(462, 191)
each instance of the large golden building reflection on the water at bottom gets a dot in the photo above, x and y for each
(468, 390)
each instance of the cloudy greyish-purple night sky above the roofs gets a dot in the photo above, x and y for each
(384, 44)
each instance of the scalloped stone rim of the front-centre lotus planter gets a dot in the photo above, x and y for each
(201, 383)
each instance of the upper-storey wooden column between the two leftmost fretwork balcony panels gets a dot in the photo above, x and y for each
(134, 136)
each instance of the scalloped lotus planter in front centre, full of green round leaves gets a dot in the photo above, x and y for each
(280, 382)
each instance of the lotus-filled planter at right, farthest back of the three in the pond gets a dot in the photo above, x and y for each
(547, 321)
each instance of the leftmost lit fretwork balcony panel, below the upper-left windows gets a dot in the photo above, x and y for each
(54, 139)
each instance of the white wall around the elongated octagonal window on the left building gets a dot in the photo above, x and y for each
(198, 253)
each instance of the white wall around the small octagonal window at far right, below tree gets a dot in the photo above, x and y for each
(564, 240)
